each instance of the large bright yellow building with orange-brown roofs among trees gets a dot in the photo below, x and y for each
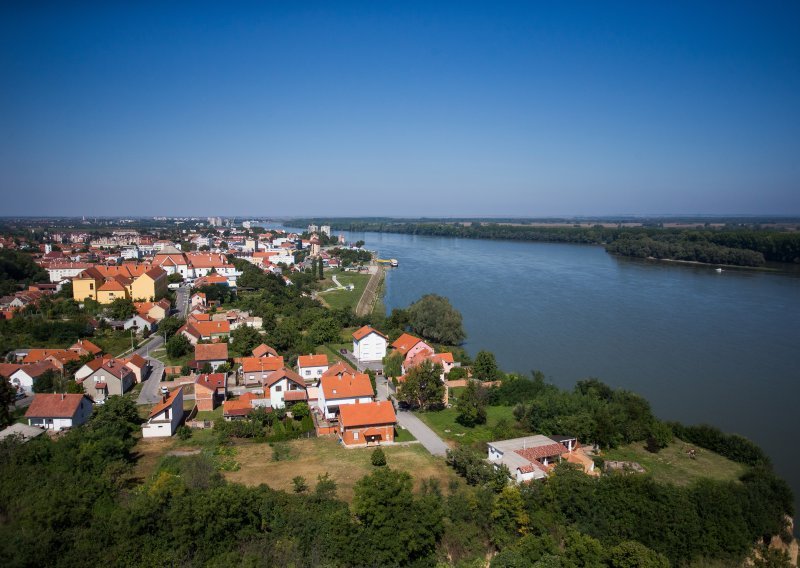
(108, 283)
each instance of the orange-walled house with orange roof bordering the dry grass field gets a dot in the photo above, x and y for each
(371, 423)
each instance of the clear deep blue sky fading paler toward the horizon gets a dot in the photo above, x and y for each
(404, 108)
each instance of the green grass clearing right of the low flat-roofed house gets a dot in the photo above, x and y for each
(673, 465)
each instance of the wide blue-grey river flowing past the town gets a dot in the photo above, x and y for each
(721, 348)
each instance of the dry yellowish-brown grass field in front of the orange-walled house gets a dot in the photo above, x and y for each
(316, 456)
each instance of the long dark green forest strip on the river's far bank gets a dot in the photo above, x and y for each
(738, 246)
